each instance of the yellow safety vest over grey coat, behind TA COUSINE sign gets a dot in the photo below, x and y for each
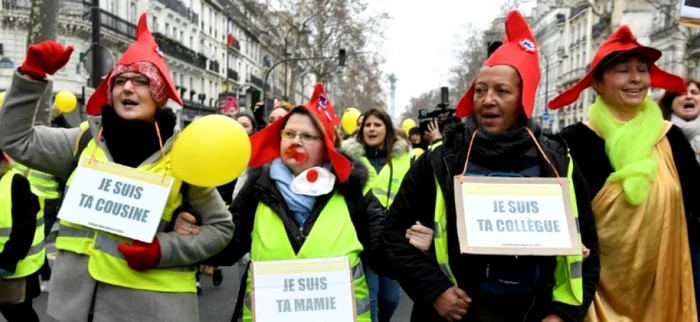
(106, 263)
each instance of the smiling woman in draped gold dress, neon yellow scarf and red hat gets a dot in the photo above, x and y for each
(642, 175)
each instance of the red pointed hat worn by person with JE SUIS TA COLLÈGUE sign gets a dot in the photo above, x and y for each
(519, 50)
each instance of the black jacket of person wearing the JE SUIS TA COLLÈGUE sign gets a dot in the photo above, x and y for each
(418, 272)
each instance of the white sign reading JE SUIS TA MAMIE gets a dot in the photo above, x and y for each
(303, 290)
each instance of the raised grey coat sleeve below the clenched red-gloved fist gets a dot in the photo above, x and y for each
(42, 148)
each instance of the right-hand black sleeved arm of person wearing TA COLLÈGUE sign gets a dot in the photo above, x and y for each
(591, 265)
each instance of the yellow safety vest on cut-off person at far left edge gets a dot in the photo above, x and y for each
(37, 253)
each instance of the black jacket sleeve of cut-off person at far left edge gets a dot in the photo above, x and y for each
(25, 206)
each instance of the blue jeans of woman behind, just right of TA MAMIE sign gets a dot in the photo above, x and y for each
(384, 295)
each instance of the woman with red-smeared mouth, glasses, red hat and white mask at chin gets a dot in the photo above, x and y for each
(303, 199)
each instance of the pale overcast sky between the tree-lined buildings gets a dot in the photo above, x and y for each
(421, 38)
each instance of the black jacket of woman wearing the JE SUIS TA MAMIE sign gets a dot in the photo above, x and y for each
(365, 211)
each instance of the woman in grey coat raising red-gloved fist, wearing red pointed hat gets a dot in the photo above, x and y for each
(98, 275)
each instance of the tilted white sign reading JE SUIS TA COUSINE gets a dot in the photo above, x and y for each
(116, 199)
